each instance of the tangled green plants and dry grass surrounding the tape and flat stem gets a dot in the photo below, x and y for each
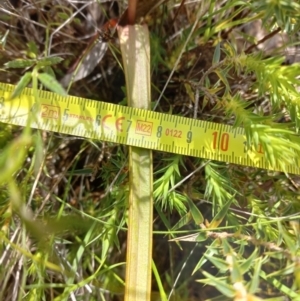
(220, 231)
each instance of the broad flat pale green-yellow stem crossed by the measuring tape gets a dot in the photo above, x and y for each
(135, 48)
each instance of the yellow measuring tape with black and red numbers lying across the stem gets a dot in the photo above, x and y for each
(124, 125)
